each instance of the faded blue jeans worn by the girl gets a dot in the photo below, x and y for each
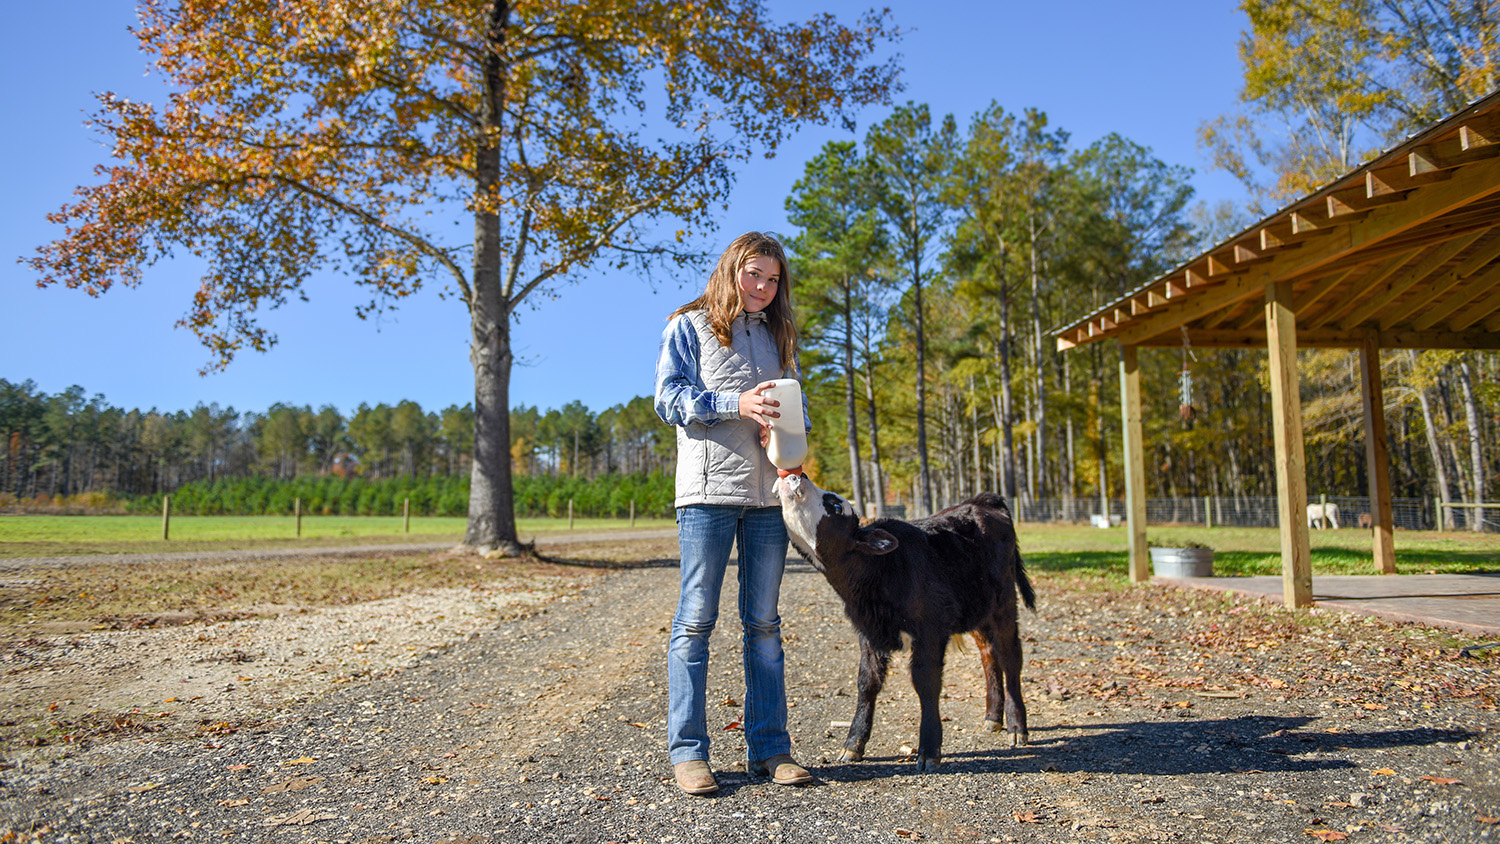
(706, 534)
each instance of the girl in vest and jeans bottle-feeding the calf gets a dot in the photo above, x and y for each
(719, 355)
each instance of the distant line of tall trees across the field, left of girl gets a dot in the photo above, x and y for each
(74, 447)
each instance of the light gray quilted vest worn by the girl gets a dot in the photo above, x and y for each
(724, 464)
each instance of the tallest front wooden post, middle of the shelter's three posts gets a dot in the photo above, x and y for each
(1286, 413)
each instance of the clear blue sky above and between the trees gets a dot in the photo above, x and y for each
(1150, 71)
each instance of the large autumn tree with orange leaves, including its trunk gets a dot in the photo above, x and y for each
(313, 137)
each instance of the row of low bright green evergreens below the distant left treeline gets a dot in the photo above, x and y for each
(605, 497)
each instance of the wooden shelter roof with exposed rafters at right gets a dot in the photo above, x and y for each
(1402, 248)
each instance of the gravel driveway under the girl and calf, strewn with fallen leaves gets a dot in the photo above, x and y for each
(1157, 716)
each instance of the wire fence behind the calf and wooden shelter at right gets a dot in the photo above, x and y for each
(1246, 512)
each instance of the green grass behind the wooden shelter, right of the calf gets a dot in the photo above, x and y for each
(1241, 552)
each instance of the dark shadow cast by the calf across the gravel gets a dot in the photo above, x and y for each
(1165, 749)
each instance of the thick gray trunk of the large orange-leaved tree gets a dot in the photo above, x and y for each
(493, 512)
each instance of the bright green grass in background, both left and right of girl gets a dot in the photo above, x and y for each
(1238, 551)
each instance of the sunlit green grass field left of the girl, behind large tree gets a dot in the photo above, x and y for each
(71, 536)
